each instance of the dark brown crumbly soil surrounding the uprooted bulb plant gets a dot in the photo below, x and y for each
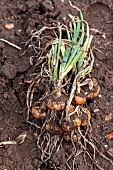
(16, 71)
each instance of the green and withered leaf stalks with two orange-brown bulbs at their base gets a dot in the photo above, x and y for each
(70, 57)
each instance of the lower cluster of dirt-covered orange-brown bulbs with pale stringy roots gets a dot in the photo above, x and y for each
(55, 127)
